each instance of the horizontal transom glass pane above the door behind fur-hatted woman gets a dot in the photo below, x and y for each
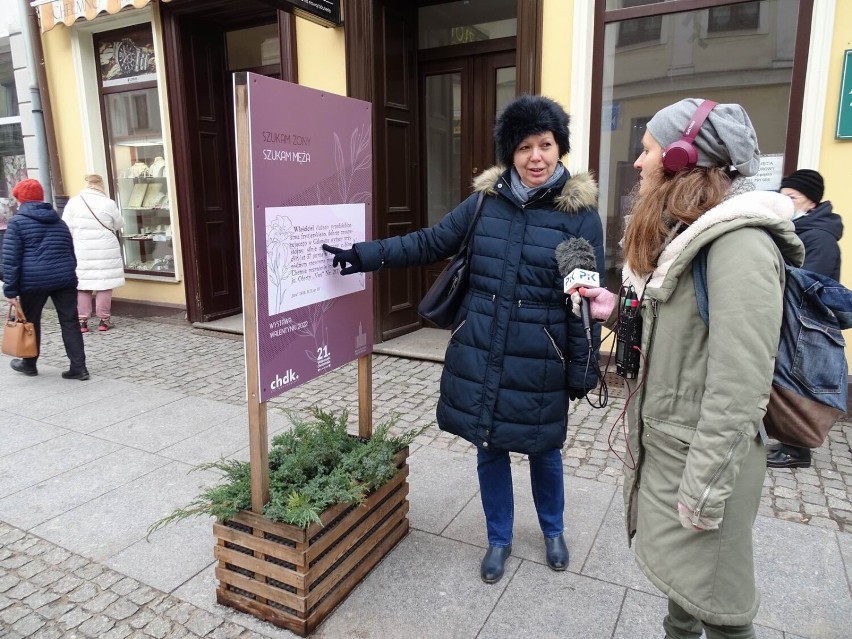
(466, 21)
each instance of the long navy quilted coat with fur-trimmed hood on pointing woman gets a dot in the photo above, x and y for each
(516, 347)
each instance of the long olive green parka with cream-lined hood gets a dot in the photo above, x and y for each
(699, 399)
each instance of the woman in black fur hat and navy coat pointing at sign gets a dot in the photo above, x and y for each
(517, 355)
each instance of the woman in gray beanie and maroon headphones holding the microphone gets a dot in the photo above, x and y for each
(701, 390)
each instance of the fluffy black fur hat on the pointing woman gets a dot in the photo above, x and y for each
(528, 115)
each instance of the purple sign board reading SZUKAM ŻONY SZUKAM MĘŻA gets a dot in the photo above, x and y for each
(311, 182)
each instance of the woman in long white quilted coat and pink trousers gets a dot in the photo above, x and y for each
(94, 220)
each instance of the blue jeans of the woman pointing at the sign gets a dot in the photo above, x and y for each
(495, 488)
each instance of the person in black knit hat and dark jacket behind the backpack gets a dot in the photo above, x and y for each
(820, 230)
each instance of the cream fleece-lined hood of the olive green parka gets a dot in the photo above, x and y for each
(765, 209)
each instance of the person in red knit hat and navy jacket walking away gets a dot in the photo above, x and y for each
(39, 263)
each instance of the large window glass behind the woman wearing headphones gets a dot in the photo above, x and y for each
(695, 55)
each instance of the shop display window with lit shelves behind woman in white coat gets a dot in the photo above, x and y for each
(130, 107)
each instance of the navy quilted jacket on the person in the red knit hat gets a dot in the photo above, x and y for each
(38, 252)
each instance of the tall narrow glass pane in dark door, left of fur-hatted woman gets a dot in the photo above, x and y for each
(442, 121)
